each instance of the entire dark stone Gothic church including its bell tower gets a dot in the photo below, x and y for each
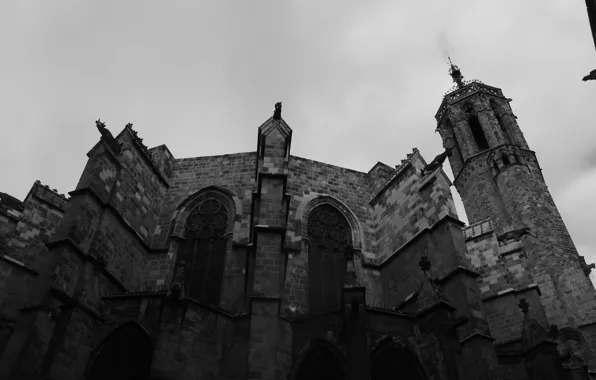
(264, 265)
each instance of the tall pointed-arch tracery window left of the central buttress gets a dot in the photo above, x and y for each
(205, 250)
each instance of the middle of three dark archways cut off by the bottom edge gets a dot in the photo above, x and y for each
(320, 362)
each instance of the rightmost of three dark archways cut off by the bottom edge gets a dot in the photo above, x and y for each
(392, 361)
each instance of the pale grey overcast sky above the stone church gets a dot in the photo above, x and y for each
(360, 82)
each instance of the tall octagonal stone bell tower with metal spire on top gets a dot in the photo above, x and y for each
(498, 177)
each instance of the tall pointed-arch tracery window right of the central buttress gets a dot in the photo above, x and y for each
(330, 240)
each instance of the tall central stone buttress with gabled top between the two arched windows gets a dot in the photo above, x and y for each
(270, 213)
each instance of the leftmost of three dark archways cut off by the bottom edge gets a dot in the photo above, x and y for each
(125, 354)
